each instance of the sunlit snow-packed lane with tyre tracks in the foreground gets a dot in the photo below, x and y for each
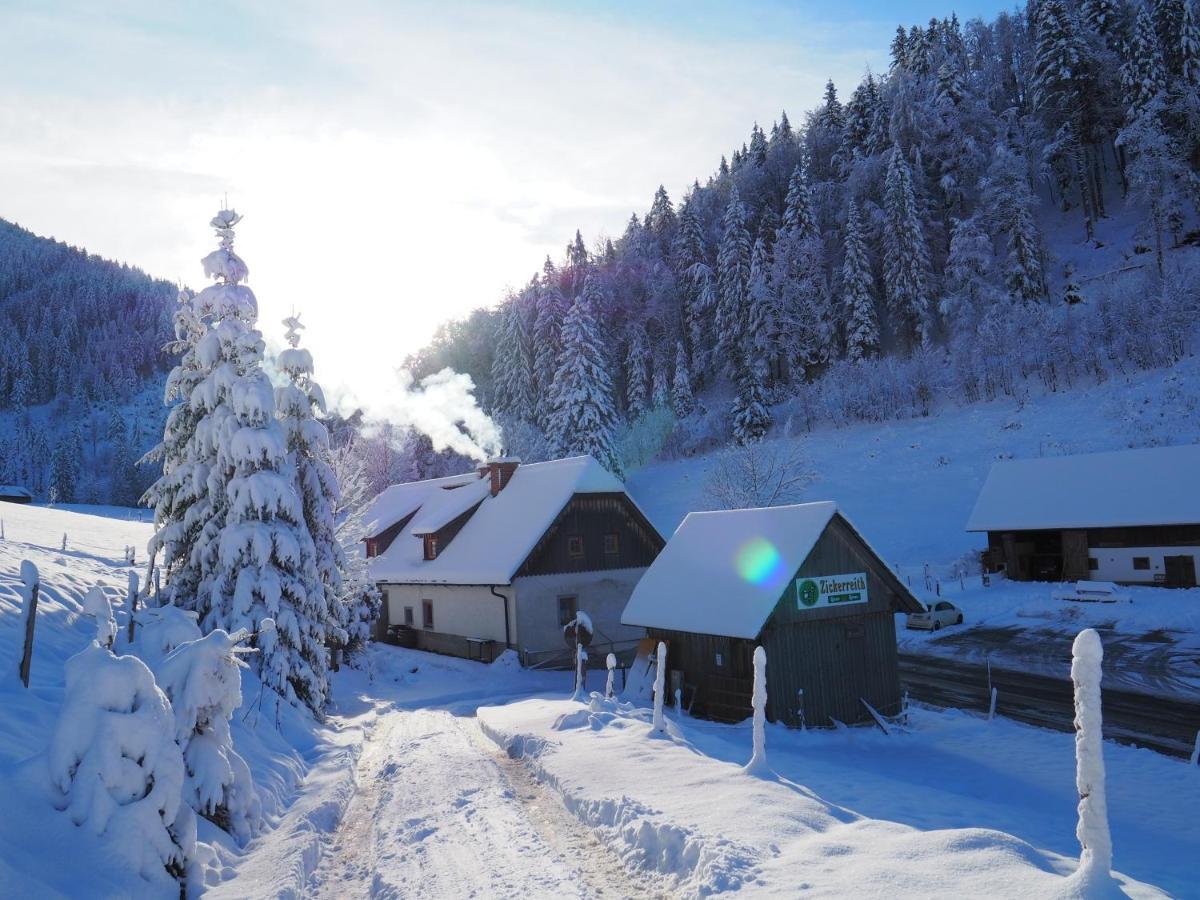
(441, 813)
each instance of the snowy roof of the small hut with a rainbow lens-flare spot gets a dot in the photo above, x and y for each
(723, 573)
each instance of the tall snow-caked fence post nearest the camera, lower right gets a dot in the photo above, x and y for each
(1096, 842)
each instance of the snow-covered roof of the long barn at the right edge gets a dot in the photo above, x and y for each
(1129, 488)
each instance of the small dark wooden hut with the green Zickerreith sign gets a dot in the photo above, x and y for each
(797, 580)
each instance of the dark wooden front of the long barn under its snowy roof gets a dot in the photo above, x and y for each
(1063, 555)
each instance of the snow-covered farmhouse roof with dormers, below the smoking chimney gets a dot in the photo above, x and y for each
(497, 538)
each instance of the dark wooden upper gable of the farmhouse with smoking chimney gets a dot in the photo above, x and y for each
(581, 536)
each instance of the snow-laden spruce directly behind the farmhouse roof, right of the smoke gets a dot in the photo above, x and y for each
(584, 404)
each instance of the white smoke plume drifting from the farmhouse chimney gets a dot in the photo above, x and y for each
(443, 407)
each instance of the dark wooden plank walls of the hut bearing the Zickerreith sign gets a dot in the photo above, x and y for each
(821, 663)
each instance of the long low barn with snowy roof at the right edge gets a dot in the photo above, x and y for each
(1131, 518)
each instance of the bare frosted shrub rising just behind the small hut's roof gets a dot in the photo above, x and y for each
(769, 473)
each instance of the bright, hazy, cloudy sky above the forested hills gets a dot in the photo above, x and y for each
(398, 164)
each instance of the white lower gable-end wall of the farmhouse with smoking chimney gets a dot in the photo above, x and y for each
(603, 596)
